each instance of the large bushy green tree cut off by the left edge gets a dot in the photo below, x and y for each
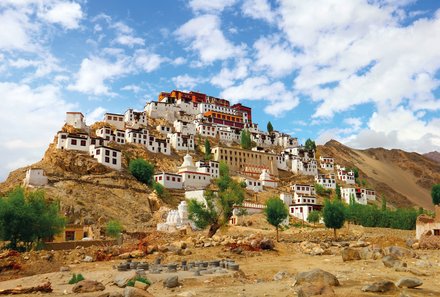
(28, 218)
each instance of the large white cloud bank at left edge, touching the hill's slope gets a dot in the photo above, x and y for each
(32, 115)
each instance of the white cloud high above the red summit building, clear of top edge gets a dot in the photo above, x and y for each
(205, 37)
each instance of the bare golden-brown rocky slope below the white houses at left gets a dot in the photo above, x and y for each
(92, 193)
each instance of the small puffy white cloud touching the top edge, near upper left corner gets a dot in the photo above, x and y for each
(67, 14)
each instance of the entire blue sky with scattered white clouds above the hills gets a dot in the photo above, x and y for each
(363, 72)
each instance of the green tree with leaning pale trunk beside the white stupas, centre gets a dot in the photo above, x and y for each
(217, 209)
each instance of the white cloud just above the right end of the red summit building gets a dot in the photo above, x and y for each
(260, 88)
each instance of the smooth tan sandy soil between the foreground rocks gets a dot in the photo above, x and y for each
(260, 267)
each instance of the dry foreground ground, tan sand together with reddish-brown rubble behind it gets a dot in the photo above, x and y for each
(301, 249)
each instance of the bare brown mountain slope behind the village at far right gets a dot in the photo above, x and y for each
(405, 179)
